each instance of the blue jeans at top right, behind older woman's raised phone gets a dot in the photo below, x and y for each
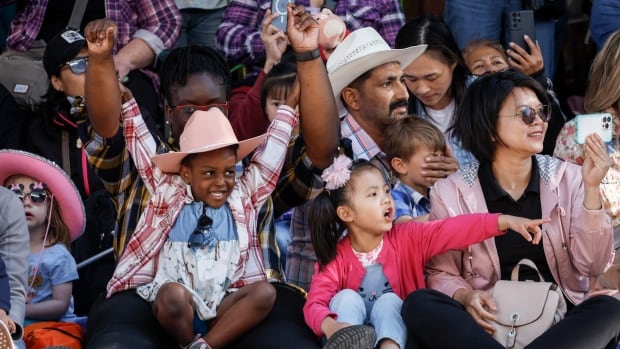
(490, 23)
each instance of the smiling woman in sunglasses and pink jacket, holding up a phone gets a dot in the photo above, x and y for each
(502, 120)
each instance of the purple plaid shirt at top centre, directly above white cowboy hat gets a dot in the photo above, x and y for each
(238, 36)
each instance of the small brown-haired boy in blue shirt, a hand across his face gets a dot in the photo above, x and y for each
(407, 142)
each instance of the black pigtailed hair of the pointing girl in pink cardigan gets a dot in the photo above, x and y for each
(326, 228)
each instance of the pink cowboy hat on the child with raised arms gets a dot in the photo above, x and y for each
(205, 131)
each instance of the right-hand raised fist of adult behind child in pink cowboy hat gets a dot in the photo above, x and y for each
(302, 29)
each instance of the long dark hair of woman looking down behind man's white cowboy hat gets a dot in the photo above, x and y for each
(431, 30)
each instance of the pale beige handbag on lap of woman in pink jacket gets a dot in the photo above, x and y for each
(525, 309)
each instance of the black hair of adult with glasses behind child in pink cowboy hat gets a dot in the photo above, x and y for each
(182, 62)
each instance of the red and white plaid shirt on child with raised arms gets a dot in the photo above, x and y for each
(137, 266)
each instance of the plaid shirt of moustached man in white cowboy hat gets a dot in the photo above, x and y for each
(301, 257)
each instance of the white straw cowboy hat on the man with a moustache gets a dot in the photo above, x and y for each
(361, 51)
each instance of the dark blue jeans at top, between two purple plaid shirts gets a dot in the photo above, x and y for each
(199, 27)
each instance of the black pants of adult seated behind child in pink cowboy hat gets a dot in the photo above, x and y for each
(126, 321)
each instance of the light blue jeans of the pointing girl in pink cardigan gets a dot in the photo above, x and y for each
(384, 317)
